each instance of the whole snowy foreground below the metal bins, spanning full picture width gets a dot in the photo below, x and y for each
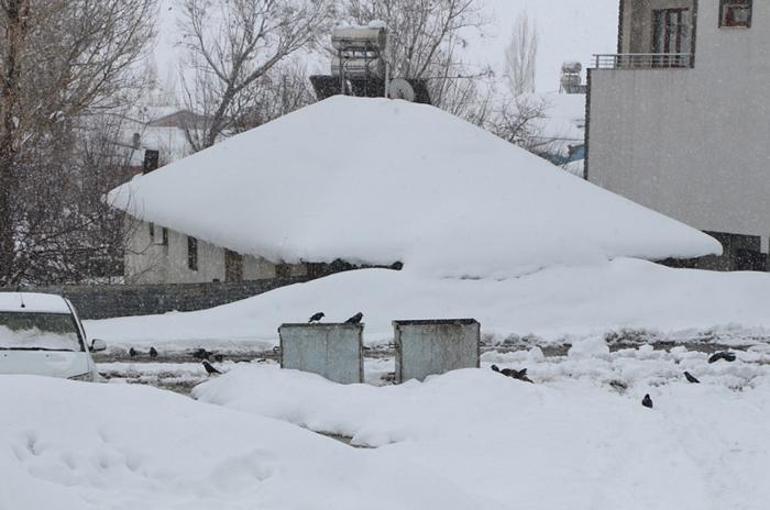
(577, 438)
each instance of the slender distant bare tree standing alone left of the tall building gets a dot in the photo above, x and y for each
(521, 56)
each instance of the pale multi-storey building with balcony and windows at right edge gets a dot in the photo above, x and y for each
(678, 119)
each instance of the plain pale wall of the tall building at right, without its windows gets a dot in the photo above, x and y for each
(692, 143)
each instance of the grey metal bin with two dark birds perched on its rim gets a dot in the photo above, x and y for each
(334, 351)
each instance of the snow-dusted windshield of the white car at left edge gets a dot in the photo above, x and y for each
(38, 331)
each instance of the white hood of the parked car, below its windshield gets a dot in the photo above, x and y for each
(51, 363)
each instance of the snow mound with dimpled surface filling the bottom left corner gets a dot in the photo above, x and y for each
(79, 446)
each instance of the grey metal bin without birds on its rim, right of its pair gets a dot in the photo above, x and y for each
(432, 347)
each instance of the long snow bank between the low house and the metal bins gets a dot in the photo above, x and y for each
(552, 304)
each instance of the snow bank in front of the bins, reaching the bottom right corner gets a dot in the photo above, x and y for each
(568, 444)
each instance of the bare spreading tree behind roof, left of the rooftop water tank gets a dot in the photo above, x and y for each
(233, 45)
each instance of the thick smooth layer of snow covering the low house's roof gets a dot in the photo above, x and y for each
(379, 181)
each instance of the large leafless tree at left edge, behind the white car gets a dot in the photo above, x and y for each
(60, 60)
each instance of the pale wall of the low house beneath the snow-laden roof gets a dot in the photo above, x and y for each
(148, 261)
